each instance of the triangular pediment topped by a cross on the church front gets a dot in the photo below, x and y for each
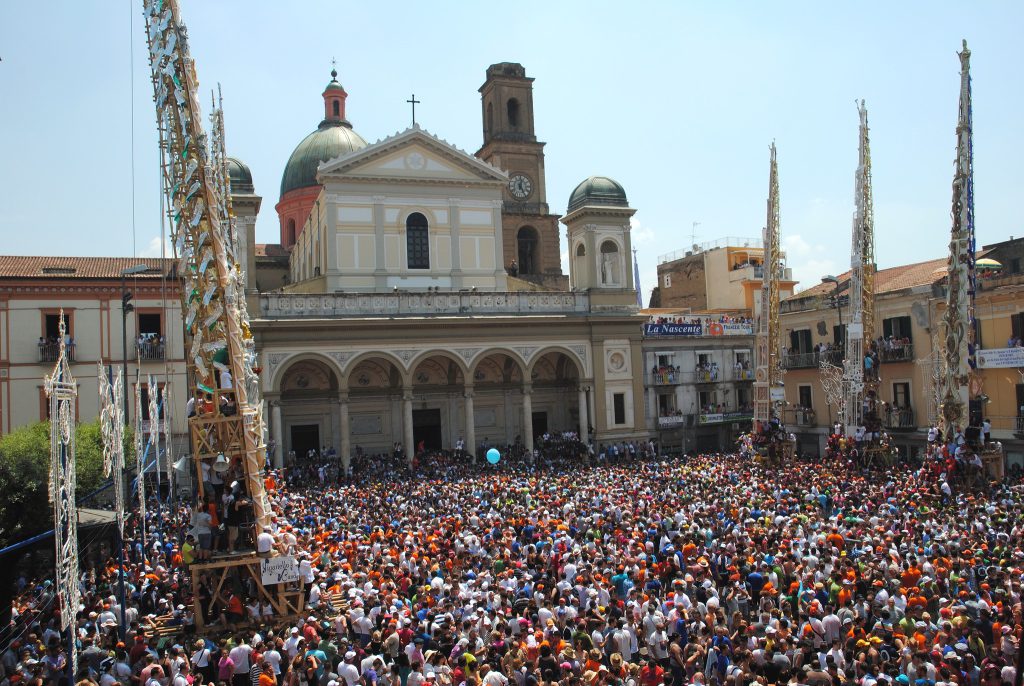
(413, 155)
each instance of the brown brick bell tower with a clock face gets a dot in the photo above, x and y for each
(530, 232)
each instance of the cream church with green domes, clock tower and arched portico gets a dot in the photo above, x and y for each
(423, 298)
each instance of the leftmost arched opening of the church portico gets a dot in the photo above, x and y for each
(309, 400)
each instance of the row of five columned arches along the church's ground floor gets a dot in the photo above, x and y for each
(376, 401)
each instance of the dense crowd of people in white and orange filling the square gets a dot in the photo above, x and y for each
(637, 571)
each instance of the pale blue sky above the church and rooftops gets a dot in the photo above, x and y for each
(678, 102)
